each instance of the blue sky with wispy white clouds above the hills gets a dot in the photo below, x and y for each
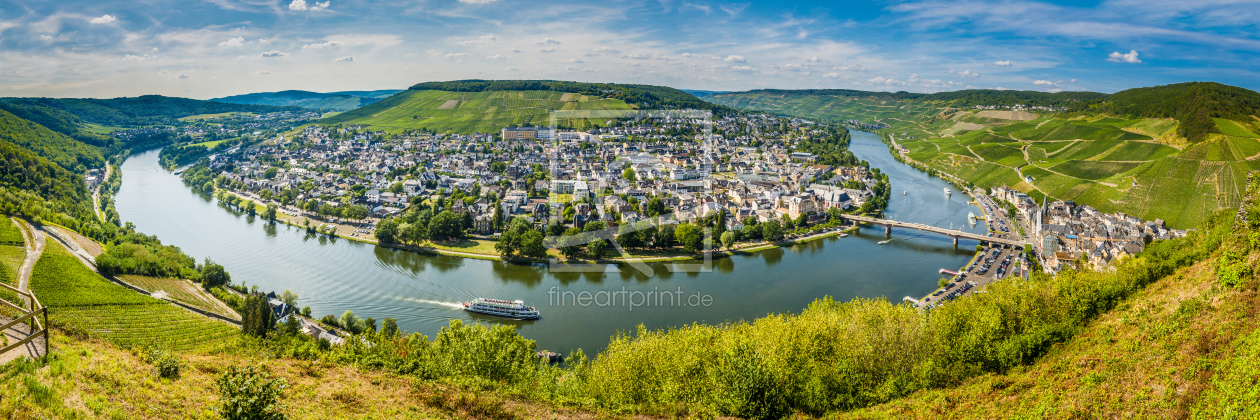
(203, 50)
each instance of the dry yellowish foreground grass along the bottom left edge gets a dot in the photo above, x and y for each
(91, 379)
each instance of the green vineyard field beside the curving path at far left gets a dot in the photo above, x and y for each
(79, 297)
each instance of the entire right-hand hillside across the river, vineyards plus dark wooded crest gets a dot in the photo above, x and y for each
(1099, 151)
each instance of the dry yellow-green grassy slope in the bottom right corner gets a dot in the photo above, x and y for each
(1184, 346)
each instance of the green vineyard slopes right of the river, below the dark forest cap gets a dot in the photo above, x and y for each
(1092, 161)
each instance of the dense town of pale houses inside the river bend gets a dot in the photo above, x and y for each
(750, 168)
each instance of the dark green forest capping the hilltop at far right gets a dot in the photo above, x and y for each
(1194, 105)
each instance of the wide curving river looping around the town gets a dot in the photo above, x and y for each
(423, 293)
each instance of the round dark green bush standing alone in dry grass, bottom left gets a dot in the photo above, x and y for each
(250, 393)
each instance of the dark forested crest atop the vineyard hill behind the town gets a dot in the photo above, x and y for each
(639, 96)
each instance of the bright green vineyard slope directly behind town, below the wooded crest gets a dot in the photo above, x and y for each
(467, 113)
